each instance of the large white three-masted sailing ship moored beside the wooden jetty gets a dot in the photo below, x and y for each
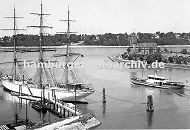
(40, 87)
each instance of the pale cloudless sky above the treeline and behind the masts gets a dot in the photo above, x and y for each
(101, 16)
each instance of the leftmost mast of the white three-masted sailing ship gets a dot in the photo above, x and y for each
(14, 40)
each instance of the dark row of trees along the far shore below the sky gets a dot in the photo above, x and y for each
(107, 39)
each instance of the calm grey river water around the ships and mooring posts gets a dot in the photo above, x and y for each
(125, 106)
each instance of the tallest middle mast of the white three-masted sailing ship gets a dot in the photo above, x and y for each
(41, 60)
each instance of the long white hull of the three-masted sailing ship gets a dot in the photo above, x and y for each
(59, 93)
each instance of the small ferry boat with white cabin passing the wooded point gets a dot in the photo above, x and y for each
(157, 82)
